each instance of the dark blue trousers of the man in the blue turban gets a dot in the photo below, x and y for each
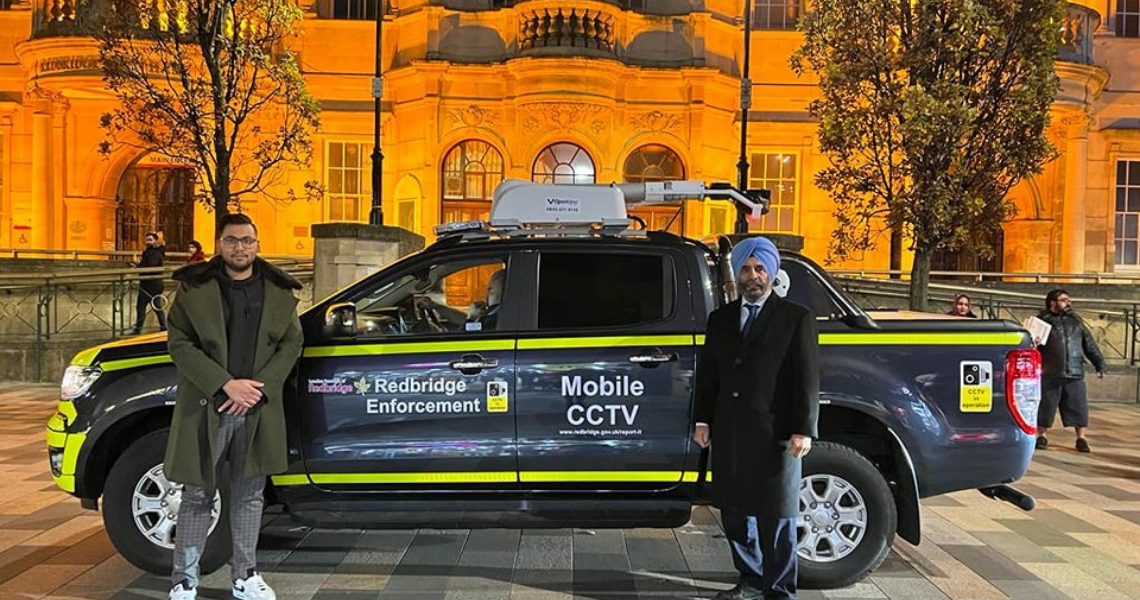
(764, 553)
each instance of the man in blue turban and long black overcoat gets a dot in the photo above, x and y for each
(759, 401)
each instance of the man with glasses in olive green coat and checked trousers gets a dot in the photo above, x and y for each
(234, 337)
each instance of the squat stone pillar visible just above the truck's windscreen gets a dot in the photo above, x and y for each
(344, 253)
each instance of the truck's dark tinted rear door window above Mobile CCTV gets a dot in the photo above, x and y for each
(589, 290)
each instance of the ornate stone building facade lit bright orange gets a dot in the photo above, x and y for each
(556, 91)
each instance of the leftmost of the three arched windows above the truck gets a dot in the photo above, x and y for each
(473, 171)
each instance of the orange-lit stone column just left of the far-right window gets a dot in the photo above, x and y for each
(1073, 224)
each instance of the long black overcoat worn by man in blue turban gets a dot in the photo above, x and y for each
(754, 394)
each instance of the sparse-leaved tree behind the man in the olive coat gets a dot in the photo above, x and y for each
(211, 84)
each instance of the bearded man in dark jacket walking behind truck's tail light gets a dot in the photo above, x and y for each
(1063, 370)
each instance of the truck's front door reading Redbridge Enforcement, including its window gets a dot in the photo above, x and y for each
(421, 398)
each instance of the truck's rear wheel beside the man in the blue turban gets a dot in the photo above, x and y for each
(841, 548)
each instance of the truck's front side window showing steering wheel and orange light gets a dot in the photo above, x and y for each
(459, 296)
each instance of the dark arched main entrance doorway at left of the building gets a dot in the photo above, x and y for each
(156, 199)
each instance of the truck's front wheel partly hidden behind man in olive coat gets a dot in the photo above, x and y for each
(148, 540)
